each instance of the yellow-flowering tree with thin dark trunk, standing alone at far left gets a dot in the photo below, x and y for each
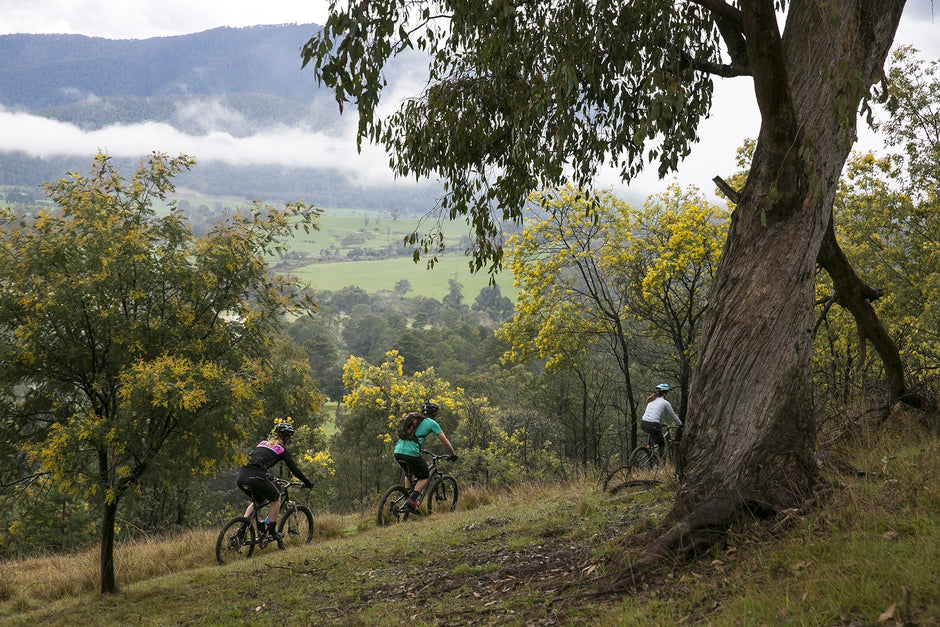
(135, 354)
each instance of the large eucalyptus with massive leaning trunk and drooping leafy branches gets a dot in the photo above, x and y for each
(524, 95)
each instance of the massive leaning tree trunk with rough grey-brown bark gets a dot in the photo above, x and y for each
(750, 421)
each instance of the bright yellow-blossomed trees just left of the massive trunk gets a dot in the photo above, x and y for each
(595, 274)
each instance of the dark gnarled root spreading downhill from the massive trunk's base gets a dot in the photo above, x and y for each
(706, 525)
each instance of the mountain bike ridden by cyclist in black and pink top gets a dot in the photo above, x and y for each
(241, 535)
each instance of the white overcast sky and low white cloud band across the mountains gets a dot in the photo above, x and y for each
(139, 19)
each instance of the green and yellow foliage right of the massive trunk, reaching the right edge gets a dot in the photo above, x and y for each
(888, 225)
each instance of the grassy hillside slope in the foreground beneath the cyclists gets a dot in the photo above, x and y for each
(866, 554)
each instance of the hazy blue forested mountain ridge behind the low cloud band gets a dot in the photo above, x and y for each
(231, 81)
